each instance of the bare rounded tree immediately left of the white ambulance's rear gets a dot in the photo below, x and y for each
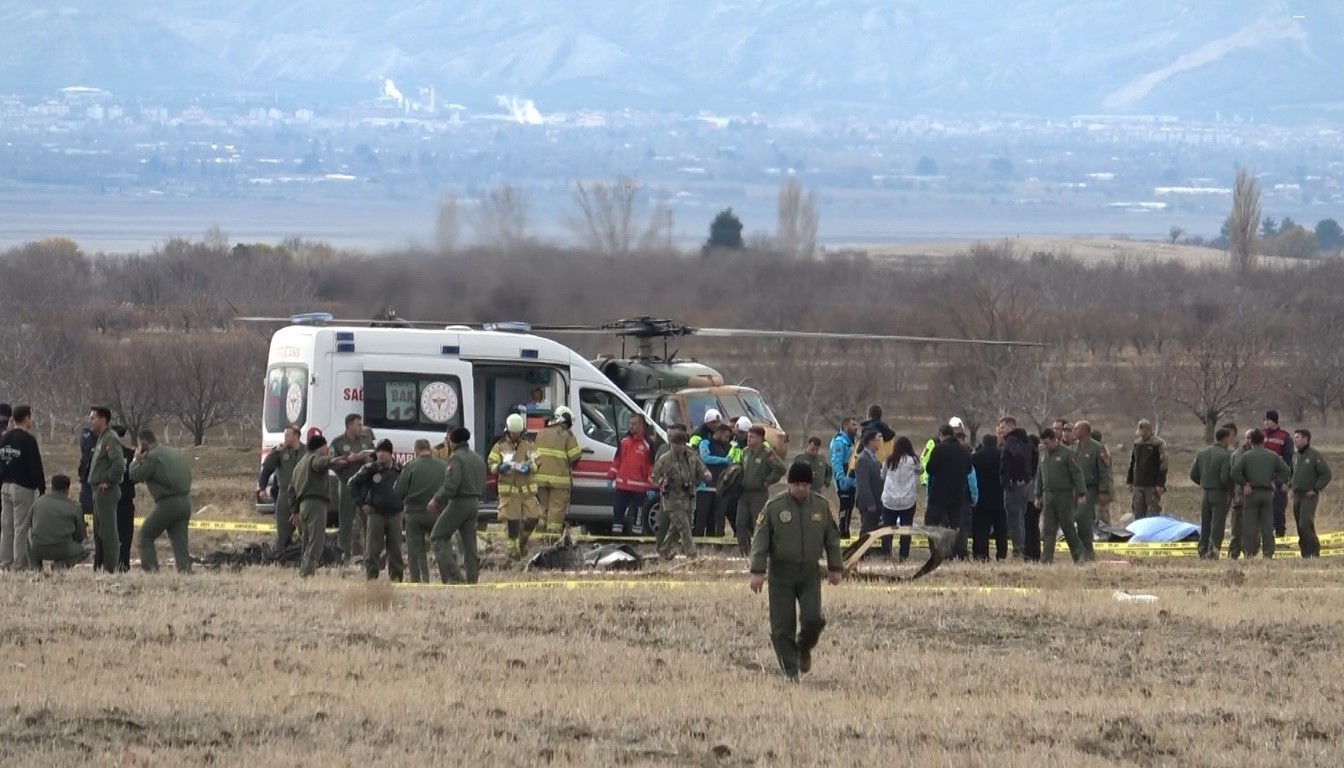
(213, 377)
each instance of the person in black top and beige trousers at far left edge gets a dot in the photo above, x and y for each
(24, 482)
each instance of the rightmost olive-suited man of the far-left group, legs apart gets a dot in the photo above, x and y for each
(167, 474)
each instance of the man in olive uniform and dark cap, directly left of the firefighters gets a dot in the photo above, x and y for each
(459, 505)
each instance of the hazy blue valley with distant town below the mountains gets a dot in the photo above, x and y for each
(878, 178)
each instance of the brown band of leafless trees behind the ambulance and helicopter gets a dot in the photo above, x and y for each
(154, 336)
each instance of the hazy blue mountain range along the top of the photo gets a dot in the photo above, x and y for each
(1256, 59)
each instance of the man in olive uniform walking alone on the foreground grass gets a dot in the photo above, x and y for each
(792, 533)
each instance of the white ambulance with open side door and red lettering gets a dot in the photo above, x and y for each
(420, 383)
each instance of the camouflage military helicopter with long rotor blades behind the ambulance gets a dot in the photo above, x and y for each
(674, 391)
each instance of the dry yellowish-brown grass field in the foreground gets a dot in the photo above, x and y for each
(1229, 668)
